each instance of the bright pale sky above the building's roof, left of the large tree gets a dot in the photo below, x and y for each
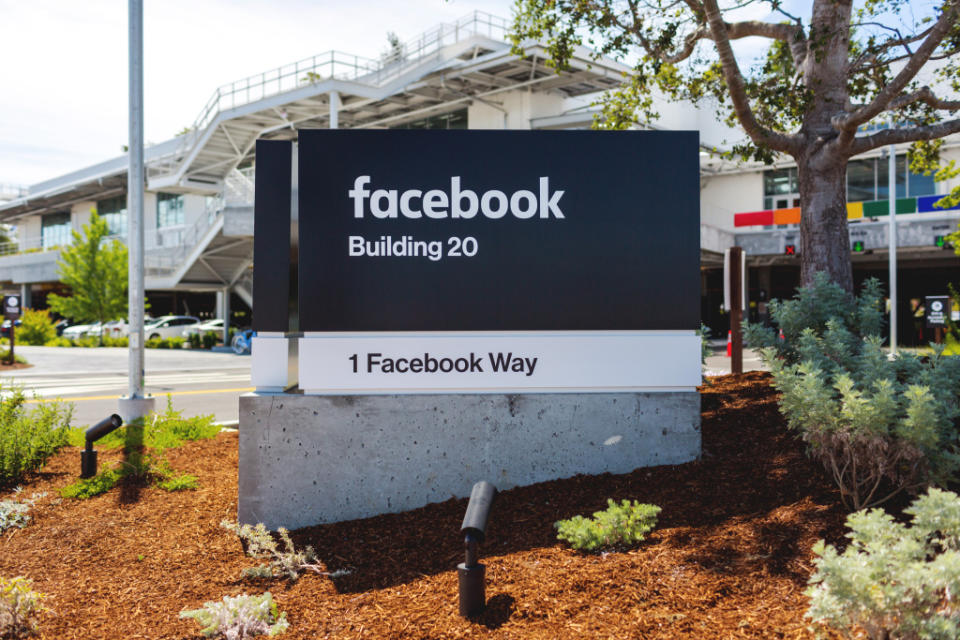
(63, 64)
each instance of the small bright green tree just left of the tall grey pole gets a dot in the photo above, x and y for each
(95, 269)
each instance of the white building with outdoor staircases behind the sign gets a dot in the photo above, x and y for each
(199, 192)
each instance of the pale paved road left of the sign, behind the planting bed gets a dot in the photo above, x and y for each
(197, 382)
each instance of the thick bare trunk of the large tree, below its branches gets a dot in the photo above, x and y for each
(824, 238)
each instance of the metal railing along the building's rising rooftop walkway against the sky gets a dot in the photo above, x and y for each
(341, 66)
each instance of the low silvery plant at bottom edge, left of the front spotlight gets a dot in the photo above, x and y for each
(239, 617)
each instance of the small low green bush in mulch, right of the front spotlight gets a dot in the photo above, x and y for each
(620, 525)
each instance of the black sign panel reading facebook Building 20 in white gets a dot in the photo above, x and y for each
(406, 230)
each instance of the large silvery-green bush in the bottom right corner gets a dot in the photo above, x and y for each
(893, 581)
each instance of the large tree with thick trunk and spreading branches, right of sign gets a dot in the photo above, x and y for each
(820, 82)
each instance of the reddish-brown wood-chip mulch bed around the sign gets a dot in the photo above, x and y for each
(730, 557)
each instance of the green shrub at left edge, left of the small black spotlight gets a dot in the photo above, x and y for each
(28, 437)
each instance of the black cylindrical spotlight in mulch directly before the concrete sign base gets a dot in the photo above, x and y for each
(471, 573)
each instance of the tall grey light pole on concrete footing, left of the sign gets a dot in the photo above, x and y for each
(135, 404)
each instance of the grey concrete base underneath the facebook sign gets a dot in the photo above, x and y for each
(308, 460)
